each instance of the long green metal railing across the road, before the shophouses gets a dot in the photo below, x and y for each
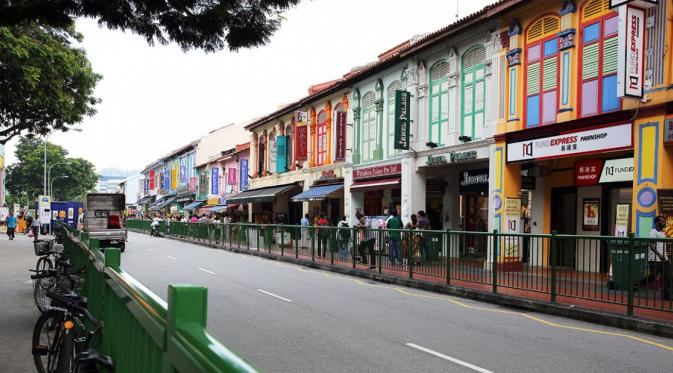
(549, 267)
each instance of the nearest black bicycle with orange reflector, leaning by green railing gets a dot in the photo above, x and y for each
(62, 342)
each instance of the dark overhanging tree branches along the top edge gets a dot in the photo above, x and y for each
(210, 25)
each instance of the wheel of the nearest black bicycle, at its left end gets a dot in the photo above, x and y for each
(47, 336)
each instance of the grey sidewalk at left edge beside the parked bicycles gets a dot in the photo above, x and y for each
(17, 308)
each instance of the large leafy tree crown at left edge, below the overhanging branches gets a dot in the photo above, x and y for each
(45, 83)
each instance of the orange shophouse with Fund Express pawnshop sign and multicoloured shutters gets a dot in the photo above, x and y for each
(578, 151)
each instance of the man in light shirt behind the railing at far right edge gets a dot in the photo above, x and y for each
(657, 260)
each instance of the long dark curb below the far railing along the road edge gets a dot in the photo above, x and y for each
(657, 328)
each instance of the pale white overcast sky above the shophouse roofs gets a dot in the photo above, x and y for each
(158, 98)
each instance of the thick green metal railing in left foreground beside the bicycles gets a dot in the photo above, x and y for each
(142, 332)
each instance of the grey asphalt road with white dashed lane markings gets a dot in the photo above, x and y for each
(283, 317)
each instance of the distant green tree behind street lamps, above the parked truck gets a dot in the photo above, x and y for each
(24, 178)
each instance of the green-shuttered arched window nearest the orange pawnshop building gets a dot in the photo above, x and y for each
(474, 92)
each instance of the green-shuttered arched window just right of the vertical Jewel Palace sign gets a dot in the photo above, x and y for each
(439, 102)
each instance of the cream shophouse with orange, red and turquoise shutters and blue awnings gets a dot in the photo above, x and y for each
(297, 157)
